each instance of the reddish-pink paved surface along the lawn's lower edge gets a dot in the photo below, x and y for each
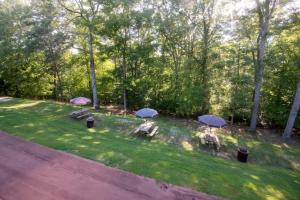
(32, 172)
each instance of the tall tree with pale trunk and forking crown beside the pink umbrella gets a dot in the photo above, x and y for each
(87, 11)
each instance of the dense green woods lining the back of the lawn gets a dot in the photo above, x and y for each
(182, 57)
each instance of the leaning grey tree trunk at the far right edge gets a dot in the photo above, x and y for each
(293, 113)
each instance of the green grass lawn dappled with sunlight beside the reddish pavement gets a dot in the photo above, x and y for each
(47, 123)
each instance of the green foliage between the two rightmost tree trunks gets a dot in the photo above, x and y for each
(283, 70)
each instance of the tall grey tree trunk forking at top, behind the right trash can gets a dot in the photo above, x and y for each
(265, 10)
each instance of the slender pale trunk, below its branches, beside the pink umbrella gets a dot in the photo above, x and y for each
(92, 70)
